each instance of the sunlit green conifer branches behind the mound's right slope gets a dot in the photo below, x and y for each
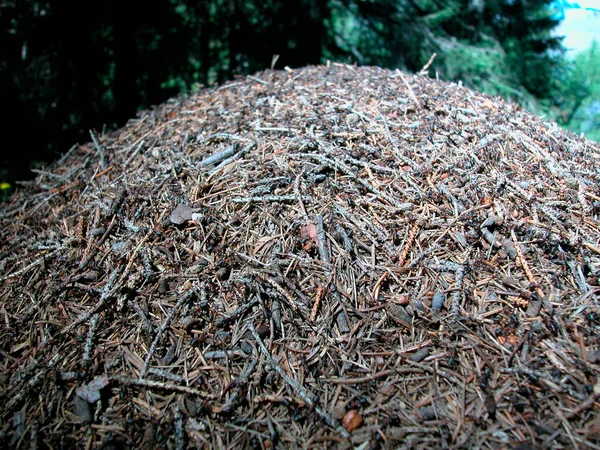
(502, 47)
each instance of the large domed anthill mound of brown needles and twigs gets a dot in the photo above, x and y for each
(326, 254)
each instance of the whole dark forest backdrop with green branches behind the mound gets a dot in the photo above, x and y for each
(71, 66)
